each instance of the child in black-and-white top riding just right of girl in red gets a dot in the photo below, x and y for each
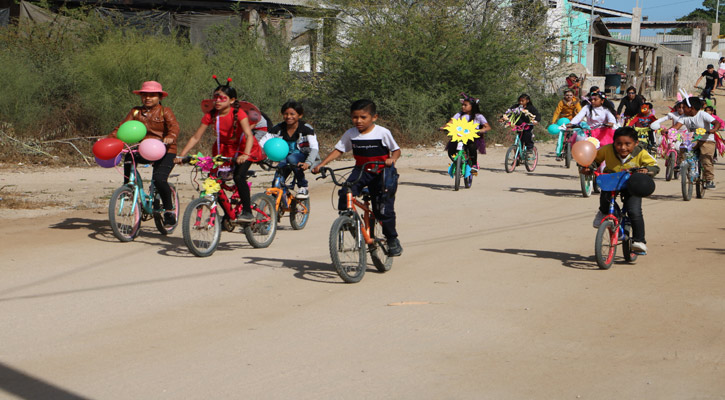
(302, 142)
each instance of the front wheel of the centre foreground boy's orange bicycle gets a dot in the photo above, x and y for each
(347, 249)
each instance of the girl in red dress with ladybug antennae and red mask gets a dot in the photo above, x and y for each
(234, 138)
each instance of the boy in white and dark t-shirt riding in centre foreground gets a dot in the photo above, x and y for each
(370, 142)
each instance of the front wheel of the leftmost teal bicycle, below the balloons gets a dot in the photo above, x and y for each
(124, 214)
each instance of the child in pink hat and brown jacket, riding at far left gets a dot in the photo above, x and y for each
(160, 124)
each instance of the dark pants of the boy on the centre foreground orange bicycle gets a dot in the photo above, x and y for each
(383, 205)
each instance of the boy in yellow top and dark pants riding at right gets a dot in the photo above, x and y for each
(622, 155)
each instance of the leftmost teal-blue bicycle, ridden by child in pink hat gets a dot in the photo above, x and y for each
(130, 204)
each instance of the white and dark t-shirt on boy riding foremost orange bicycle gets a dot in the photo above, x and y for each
(375, 145)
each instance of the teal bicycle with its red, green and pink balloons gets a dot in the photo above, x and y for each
(130, 203)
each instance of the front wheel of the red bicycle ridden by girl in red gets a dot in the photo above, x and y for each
(201, 227)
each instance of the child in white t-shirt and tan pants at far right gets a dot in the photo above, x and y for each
(696, 118)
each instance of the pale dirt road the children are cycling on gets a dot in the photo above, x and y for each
(496, 296)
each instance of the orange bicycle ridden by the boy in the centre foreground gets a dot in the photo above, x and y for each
(353, 233)
